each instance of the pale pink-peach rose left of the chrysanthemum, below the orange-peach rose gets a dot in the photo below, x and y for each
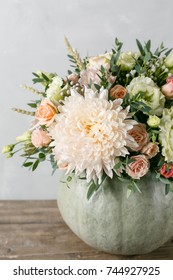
(40, 138)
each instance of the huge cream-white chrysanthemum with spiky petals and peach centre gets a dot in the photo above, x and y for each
(90, 133)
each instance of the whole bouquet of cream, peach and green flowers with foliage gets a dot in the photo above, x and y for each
(111, 116)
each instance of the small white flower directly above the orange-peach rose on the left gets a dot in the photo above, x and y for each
(54, 89)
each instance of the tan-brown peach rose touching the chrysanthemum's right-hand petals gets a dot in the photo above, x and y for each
(140, 135)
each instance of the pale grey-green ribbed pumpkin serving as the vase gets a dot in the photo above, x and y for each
(113, 223)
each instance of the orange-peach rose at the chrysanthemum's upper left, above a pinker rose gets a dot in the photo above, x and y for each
(46, 112)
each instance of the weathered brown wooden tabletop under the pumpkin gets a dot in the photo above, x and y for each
(34, 230)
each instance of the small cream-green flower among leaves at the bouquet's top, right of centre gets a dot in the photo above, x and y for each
(127, 60)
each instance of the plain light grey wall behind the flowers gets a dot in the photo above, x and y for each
(31, 38)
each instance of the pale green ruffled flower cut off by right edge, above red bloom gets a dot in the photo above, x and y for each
(166, 134)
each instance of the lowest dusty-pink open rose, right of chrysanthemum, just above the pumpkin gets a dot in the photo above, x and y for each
(139, 167)
